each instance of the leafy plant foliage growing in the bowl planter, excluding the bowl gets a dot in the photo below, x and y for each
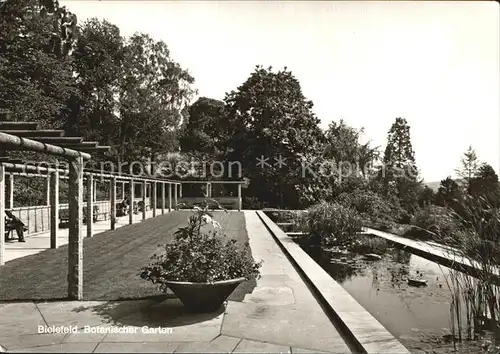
(201, 257)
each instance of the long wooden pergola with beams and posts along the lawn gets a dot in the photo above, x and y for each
(25, 136)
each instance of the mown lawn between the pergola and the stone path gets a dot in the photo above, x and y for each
(111, 262)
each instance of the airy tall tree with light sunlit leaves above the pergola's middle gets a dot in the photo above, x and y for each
(153, 95)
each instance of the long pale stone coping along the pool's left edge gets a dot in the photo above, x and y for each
(354, 319)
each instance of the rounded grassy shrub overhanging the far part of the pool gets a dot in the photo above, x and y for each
(333, 223)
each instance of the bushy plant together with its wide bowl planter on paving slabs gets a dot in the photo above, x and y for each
(202, 267)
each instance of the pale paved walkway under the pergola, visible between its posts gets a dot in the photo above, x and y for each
(41, 241)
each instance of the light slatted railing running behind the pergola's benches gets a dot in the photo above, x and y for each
(37, 218)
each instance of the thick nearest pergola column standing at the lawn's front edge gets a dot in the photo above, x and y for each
(75, 239)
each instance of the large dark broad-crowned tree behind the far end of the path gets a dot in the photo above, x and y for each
(270, 118)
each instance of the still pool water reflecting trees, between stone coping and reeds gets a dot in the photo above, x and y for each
(418, 316)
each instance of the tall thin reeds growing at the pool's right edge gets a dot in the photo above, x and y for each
(476, 300)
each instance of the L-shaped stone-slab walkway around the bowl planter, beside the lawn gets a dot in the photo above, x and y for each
(281, 315)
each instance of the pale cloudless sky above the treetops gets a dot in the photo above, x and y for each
(437, 64)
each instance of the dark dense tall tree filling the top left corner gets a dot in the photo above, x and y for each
(36, 38)
